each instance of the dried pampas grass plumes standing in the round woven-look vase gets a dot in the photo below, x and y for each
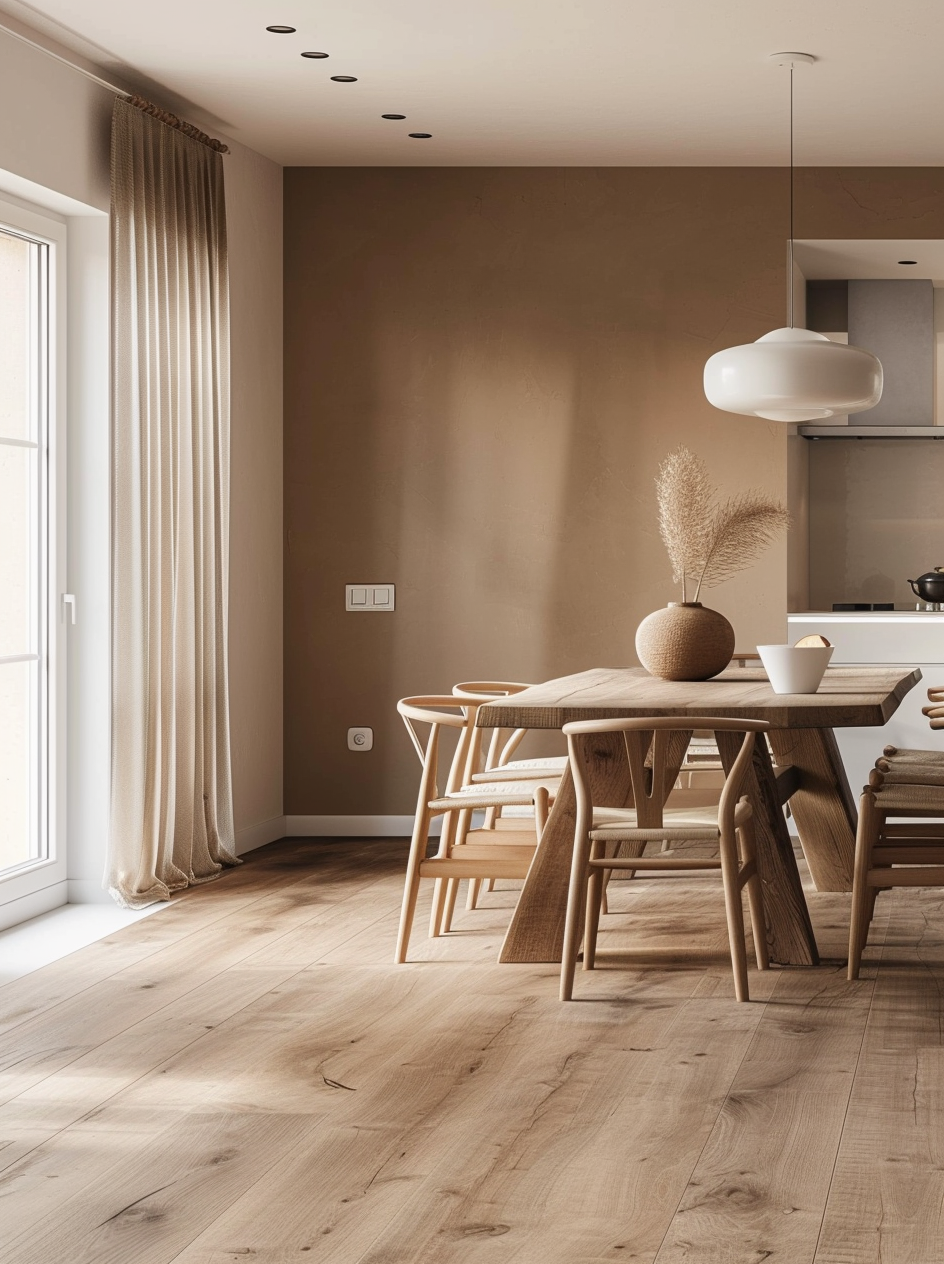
(708, 544)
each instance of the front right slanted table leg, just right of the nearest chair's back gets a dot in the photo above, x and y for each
(790, 940)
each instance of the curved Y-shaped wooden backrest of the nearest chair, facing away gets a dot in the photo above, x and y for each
(654, 749)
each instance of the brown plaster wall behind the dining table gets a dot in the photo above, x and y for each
(485, 368)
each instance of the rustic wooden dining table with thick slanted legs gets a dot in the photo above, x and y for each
(806, 772)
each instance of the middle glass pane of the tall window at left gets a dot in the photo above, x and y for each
(17, 552)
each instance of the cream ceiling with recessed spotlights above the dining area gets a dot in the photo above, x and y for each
(533, 83)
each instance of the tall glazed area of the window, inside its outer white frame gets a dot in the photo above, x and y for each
(30, 673)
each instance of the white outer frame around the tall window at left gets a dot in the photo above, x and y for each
(51, 870)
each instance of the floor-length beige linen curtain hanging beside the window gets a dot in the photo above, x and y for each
(171, 788)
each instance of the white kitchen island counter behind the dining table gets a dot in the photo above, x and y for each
(911, 639)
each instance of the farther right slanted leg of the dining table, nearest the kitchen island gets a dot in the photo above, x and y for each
(823, 806)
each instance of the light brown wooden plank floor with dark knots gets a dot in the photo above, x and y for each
(247, 1078)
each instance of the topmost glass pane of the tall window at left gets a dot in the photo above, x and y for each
(16, 351)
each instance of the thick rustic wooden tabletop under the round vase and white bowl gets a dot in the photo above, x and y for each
(849, 697)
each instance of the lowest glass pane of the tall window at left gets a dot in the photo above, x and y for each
(18, 764)
